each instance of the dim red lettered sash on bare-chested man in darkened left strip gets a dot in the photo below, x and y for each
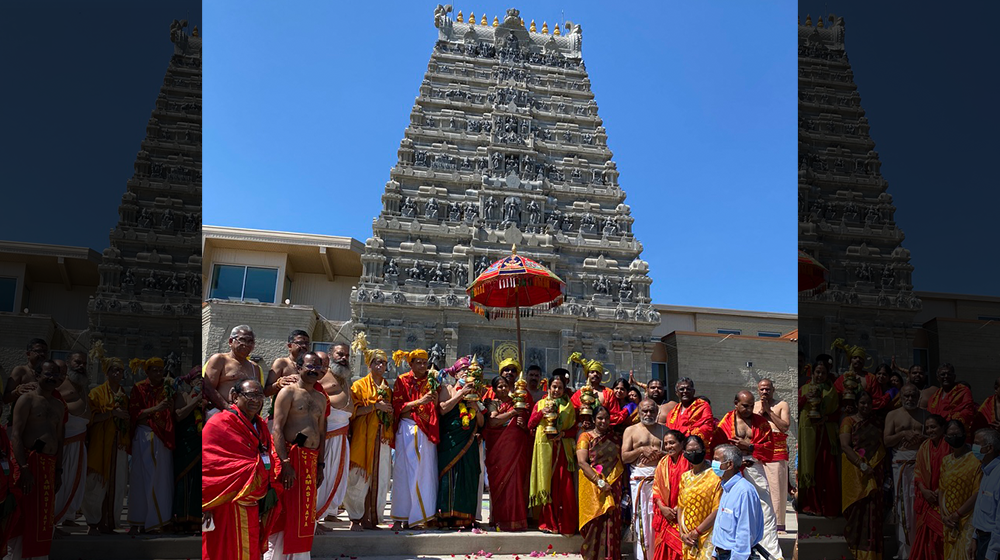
(38, 507)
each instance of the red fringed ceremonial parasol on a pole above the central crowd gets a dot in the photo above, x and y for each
(515, 286)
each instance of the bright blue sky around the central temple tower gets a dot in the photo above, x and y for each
(305, 105)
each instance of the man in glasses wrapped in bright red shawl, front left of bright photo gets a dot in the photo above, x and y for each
(236, 473)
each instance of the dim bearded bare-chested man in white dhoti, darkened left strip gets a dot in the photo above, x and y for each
(74, 459)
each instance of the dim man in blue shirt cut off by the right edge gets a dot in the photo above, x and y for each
(987, 449)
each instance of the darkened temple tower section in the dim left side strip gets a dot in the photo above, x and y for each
(150, 279)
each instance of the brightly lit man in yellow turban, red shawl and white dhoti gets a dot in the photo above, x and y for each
(415, 469)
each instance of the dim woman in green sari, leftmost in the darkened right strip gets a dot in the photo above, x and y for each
(818, 484)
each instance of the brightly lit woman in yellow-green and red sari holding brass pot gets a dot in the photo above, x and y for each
(553, 460)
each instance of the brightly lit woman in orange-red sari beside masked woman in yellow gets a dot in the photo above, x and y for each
(667, 543)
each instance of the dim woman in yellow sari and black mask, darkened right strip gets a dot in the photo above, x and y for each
(960, 476)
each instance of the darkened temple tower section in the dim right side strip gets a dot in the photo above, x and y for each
(845, 212)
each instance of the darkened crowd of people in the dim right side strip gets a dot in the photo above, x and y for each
(924, 454)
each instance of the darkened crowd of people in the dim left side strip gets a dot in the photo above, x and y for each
(69, 450)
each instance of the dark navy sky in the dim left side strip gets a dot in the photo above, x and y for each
(80, 82)
